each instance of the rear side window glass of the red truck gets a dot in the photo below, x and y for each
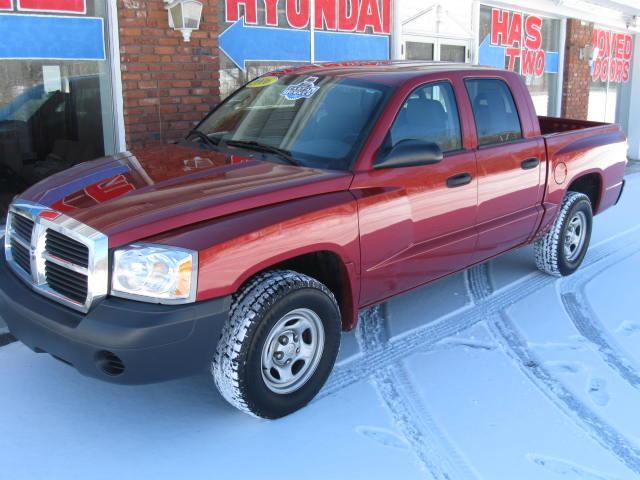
(494, 111)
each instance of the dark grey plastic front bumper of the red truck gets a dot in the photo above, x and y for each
(153, 342)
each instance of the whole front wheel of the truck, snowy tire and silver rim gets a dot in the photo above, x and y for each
(279, 345)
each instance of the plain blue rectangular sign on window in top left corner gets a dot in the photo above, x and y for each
(51, 38)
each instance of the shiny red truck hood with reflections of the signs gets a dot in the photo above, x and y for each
(138, 194)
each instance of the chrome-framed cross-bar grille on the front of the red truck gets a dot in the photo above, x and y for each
(59, 257)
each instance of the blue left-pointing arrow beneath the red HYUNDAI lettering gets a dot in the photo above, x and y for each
(243, 43)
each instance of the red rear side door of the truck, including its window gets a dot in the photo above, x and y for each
(509, 169)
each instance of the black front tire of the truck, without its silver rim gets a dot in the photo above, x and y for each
(256, 309)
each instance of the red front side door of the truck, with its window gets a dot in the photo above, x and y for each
(418, 223)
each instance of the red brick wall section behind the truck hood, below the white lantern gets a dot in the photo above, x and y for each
(168, 84)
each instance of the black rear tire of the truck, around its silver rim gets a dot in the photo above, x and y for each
(550, 249)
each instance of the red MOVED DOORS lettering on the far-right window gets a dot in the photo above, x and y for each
(613, 56)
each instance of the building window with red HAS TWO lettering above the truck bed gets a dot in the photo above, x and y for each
(527, 44)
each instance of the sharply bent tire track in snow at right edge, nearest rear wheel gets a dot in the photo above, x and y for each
(578, 308)
